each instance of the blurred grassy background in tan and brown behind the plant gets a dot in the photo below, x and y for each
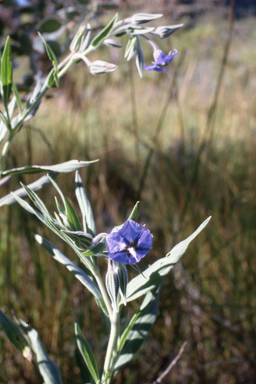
(184, 146)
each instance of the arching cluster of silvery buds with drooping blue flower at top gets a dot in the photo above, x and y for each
(135, 28)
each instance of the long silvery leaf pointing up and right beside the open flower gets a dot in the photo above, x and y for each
(156, 272)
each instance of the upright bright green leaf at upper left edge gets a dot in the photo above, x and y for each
(6, 73)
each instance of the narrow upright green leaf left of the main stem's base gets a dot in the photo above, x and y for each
(86, 351)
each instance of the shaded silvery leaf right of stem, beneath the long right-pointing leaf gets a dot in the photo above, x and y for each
(137, 330)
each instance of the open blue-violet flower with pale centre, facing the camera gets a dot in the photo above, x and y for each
(129, 244)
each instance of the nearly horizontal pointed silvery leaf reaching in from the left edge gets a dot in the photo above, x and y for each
(68, 166)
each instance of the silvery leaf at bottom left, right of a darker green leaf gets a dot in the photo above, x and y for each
(48, 369)
